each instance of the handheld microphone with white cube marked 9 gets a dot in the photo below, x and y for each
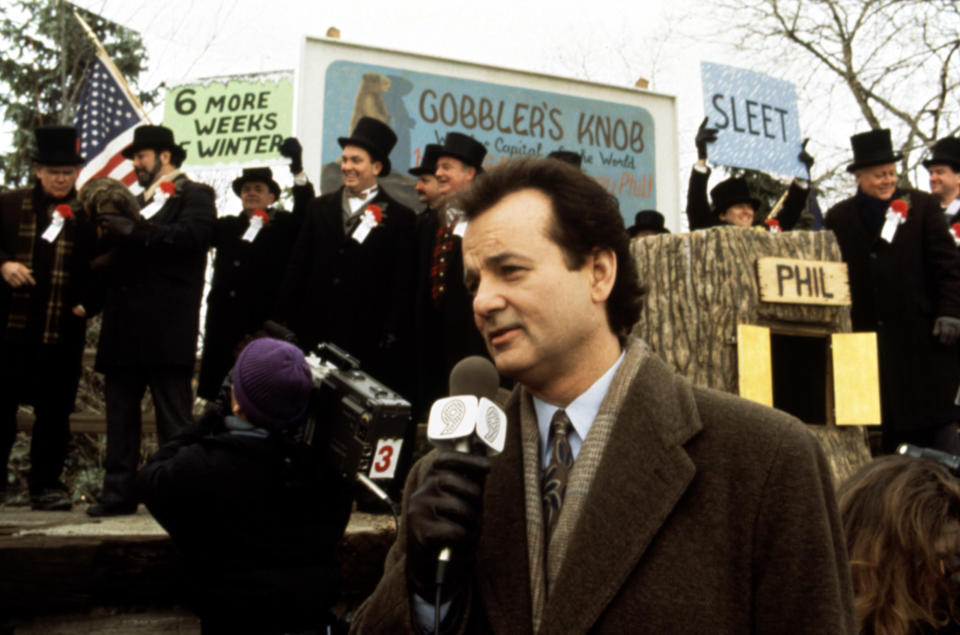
(468, 421)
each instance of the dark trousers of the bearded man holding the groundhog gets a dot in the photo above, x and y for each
(125, 386)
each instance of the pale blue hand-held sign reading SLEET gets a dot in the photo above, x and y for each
(756, 118)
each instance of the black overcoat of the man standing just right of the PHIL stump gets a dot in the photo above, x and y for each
(898, 289)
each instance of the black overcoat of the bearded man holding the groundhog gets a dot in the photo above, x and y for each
(151, 312)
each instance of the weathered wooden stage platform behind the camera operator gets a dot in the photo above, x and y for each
(66, 562)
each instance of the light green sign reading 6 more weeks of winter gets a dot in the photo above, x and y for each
(231, 120)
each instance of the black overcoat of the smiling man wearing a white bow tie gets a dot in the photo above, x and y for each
(357, 295)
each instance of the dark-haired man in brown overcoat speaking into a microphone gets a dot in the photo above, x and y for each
(663, 508)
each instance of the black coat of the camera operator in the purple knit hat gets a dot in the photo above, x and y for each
(257, 521)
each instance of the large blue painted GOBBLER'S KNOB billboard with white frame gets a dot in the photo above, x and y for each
(626, 137)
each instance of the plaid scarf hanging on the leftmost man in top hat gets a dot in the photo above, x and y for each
(22, 296)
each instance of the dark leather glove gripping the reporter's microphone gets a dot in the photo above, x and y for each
(445, 511)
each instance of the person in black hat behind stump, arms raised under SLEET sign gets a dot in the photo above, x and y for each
(733, 204)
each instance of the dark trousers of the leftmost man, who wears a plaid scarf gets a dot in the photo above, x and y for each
(48, 380)
